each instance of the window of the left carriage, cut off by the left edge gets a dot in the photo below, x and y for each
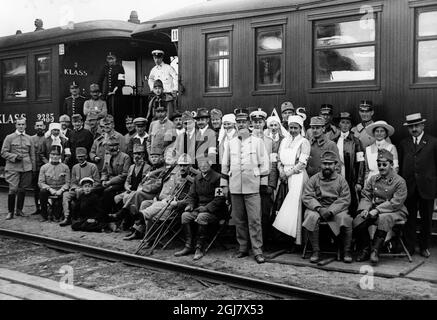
(14, 79)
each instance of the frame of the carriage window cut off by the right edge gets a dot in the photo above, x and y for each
(417, 9)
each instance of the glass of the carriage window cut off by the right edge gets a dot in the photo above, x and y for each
(426, 46)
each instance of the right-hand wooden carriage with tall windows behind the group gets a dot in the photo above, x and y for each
(261, 53)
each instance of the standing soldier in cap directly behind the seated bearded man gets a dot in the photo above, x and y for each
(319, 144)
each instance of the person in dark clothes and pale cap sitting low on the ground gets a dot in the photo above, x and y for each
(87, 211)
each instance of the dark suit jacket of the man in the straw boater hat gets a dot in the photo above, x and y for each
(419, 166)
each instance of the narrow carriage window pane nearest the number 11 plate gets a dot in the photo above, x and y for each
(218, 62)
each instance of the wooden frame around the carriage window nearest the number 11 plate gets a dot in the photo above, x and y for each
(213, 32)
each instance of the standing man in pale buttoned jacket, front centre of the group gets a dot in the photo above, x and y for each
(245, 161)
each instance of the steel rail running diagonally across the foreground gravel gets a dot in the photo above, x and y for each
(234, 280)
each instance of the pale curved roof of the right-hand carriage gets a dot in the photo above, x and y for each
(219, 10)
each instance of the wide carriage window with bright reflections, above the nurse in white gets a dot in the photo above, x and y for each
(345, 50)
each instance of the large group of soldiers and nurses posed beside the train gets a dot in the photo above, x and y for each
(275, 174)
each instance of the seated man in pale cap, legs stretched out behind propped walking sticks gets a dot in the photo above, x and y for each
(152, 209)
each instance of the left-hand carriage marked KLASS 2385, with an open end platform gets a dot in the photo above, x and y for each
(37, 68)
